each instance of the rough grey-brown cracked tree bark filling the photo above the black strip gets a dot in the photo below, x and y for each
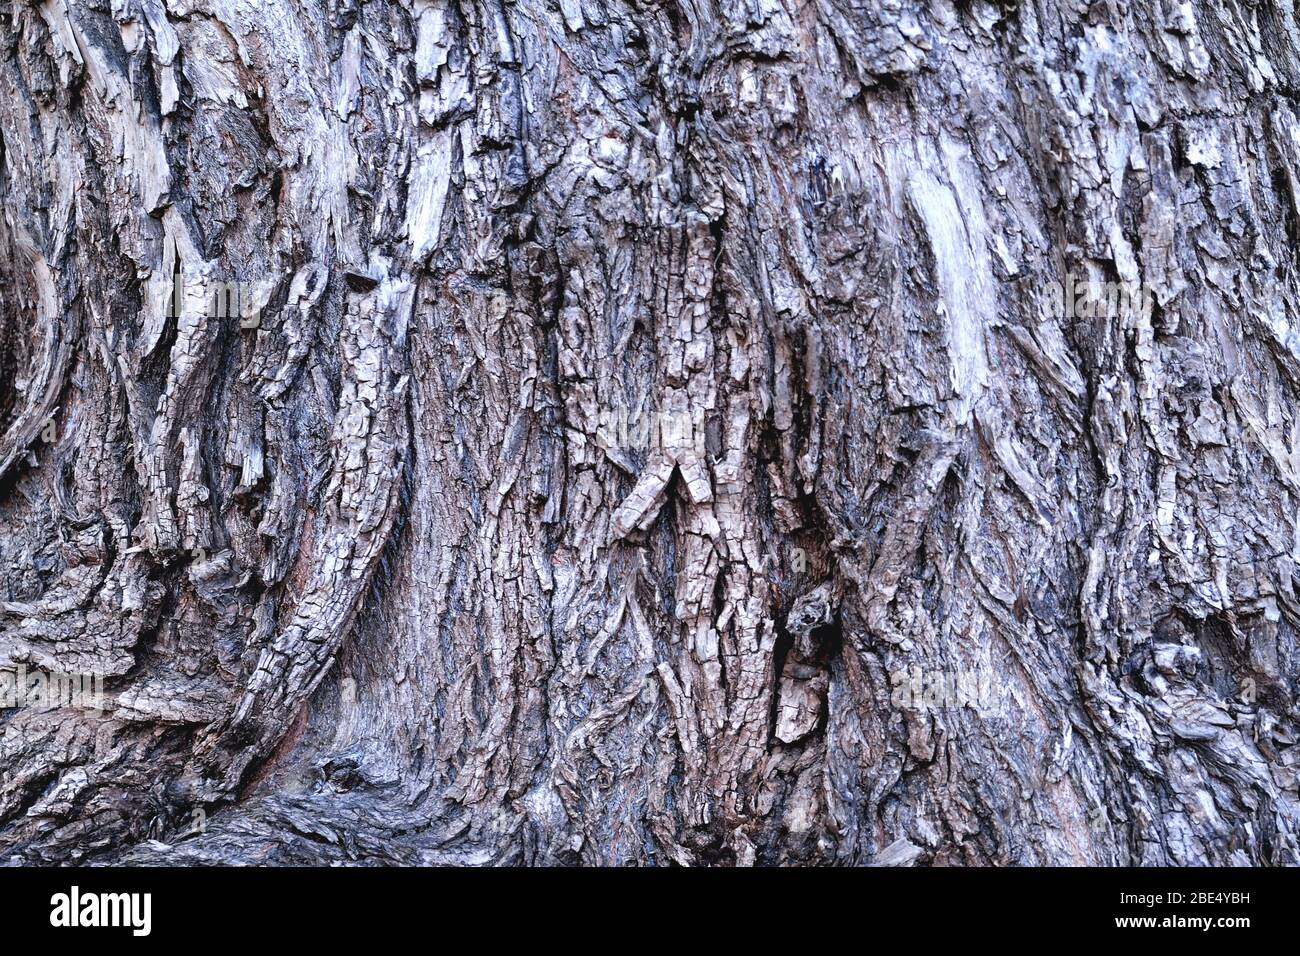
(387, 578)
